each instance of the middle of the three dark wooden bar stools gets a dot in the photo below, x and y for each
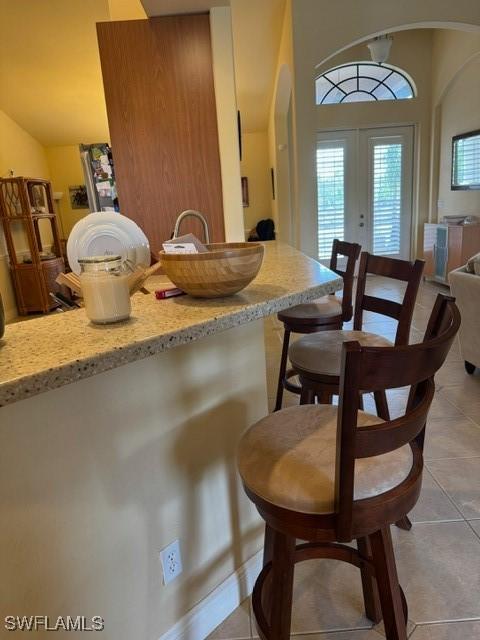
(316, 358)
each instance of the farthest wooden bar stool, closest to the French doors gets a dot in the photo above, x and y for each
(324, 314)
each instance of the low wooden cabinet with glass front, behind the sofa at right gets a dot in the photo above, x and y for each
(447, 247)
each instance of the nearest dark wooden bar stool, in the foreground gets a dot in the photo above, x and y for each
(329, 475)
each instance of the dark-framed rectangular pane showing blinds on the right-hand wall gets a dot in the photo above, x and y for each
(466, 161)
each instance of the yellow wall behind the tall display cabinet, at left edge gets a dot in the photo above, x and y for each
(26, 156)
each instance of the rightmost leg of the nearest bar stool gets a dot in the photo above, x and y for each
(388, 586)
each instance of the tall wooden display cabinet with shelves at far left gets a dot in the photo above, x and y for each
(27, 210)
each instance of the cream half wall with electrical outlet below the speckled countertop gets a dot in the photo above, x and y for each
(98, 476)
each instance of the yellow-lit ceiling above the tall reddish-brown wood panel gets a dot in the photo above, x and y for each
(50, 76)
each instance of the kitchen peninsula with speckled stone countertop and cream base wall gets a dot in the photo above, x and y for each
(99, 475)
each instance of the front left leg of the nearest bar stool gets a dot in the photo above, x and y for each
(282, 586)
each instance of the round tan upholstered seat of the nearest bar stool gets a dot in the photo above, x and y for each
(288, 459)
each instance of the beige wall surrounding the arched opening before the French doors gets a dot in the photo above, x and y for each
(317, 35)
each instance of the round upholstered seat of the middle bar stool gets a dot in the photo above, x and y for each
(320, 353)
